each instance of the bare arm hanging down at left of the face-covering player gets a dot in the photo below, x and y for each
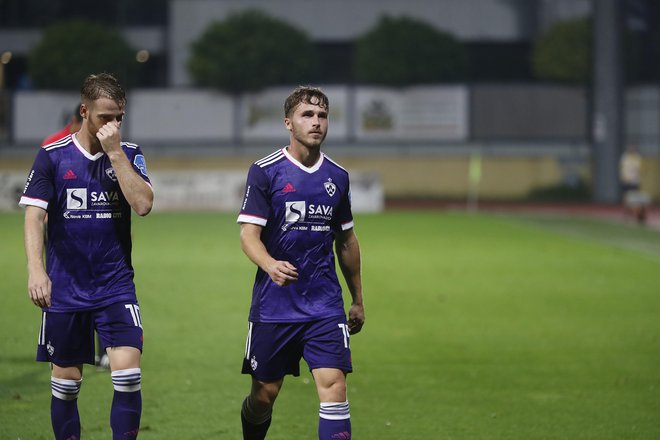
(39, 284)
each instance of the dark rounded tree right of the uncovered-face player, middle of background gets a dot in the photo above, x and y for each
(403, 51)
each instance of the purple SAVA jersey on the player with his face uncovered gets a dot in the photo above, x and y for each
(300, 209)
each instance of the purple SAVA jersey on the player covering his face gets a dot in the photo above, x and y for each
(88, 249)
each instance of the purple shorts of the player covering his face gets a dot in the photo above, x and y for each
(67, 339)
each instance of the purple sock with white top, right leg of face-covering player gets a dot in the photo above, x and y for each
(126, 404)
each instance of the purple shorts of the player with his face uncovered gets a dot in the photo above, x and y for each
(273, 350)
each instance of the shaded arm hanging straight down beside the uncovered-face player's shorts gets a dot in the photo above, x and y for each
(348, 256)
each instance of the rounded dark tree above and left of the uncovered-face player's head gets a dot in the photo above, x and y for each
(249, 51)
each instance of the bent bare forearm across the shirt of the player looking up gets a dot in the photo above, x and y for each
(281, 272)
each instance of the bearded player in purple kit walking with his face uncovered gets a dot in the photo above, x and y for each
(297, 203)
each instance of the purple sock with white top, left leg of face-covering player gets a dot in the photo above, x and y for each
(64, 408)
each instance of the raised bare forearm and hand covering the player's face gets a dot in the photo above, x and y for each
(137, 192)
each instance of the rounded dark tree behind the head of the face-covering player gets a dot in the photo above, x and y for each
(69, 51)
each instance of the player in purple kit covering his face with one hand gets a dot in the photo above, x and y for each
(88, 183)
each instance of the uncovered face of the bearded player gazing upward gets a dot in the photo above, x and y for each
(308, 125)
